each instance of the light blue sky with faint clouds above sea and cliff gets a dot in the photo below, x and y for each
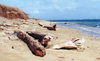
(57, 9)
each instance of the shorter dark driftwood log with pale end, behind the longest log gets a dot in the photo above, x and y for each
(42, 38)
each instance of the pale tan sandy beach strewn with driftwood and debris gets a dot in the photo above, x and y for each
(13, 49)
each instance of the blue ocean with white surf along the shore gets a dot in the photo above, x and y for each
(90, 27)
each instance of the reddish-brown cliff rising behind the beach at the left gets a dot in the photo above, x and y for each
(12, 13)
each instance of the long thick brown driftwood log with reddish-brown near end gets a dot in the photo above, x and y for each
(35, 47)
